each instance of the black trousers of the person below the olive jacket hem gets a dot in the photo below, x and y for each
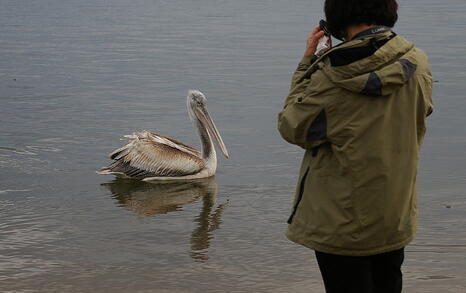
(380, 273)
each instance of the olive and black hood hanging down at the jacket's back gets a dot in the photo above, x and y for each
(374, 66)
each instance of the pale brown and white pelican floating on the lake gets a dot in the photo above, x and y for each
(149, 156)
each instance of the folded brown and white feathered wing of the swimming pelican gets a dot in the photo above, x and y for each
(151, 155)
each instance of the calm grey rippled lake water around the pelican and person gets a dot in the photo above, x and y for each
(77, 75)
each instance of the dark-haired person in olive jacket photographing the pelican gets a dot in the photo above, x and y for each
(359, 111)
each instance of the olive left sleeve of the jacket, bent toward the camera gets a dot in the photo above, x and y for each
(300, 110)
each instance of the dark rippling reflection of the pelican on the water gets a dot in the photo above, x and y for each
(150, 199)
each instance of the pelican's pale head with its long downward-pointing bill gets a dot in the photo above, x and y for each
(197, 108)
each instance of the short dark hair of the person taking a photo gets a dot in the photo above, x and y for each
(342, 13)
